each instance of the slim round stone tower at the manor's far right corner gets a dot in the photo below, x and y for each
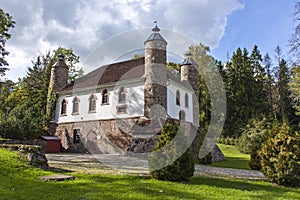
(189, 73)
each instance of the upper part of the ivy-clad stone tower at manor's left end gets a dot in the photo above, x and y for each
(59, 75)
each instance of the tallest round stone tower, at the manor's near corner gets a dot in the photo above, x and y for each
(155, 91)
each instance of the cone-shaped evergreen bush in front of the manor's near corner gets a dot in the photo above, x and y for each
(182, 168)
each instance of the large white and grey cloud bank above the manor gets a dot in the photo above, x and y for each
(82, 24)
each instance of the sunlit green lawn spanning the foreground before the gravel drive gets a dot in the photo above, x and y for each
(19, 181)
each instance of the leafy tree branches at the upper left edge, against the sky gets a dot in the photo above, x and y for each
(6, 23)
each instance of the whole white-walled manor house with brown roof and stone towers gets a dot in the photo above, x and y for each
(123, 106)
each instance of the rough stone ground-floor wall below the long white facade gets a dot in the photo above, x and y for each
(103, 136)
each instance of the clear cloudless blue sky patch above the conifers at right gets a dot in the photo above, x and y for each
(266, 23)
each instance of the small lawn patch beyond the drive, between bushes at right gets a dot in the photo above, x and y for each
(234, 159)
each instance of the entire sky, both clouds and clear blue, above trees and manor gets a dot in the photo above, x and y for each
(223, 25)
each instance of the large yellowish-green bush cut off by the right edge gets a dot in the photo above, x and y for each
(280, 156)
